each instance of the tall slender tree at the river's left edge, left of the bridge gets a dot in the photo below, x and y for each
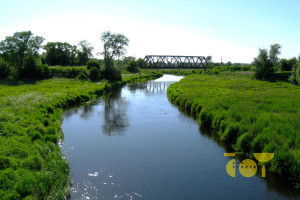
(114, 47)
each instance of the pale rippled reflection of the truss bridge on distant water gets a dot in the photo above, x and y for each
(151, 87)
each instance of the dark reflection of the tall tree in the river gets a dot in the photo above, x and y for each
(115, 114)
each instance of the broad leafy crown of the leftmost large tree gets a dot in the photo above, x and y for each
(22, 44)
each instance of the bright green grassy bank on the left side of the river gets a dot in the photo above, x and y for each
(31, 163)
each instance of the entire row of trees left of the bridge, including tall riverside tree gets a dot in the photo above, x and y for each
(20, 56)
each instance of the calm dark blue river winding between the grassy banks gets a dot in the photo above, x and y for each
(134, 144)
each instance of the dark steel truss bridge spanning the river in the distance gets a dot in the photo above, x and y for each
(175, 62)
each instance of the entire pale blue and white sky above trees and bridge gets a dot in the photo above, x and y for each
(233, 29)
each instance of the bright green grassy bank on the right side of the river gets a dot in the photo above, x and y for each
(251, 115)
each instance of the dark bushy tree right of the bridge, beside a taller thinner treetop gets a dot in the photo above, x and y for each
(264, 68)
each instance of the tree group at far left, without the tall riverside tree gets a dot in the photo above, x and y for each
(20, 55)
